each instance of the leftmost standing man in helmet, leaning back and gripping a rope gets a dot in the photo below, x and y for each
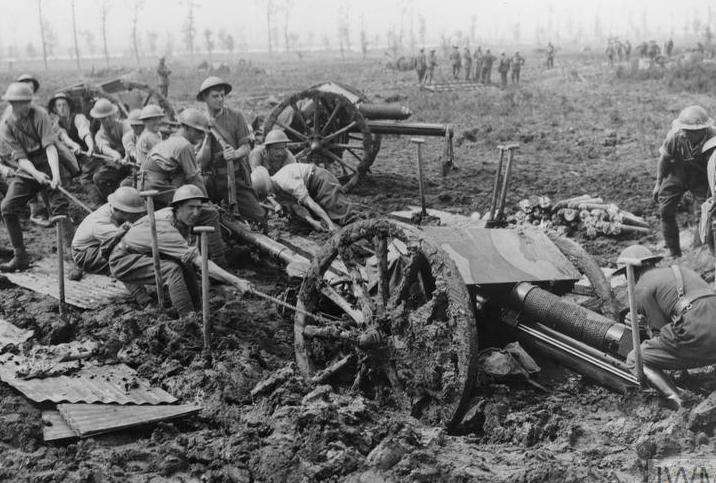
(28, 131)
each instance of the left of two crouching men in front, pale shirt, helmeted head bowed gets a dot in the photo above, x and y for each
(102, 229)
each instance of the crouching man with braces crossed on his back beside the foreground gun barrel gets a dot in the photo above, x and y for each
(680, 307)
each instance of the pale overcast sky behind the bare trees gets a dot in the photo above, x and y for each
(246, 20)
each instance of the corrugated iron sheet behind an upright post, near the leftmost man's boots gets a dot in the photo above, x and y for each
(92, 292)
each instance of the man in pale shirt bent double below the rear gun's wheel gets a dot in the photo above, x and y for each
(300, 185)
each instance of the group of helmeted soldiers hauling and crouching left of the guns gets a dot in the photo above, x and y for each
(211, 166)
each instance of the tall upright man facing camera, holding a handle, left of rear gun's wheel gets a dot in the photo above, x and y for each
(235, 143)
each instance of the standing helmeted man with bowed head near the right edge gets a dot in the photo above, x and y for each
(682, 167)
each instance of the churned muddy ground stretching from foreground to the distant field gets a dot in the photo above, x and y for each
(590, 133)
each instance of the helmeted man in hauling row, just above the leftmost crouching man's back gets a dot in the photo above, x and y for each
(110, 140)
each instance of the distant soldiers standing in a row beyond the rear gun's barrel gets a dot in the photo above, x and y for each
(472, 66)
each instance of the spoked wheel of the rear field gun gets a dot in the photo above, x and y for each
(326, 129)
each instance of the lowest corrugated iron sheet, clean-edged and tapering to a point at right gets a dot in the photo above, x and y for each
(92, 419)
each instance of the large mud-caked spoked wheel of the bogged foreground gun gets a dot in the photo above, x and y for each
(404, 330)
